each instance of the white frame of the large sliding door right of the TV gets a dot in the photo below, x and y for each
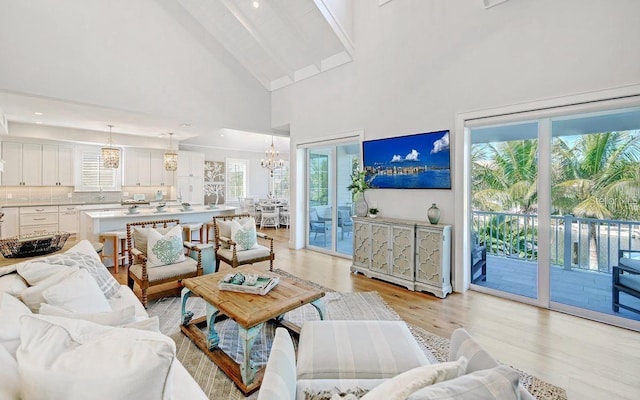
(542, 111)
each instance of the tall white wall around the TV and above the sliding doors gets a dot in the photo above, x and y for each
(419, 63)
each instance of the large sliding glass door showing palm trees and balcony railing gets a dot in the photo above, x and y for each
(555, 210)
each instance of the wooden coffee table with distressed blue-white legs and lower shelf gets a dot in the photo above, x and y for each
(249, 311)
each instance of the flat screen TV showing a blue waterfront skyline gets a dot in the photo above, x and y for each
(418, 161)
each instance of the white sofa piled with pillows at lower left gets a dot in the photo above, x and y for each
(82, 343)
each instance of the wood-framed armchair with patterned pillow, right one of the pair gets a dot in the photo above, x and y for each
(236, 243)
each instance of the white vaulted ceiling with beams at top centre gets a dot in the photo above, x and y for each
(278, 41)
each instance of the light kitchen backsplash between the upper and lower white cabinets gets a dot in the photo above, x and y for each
(64, 194)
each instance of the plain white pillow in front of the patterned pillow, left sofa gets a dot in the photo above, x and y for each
(78, 293)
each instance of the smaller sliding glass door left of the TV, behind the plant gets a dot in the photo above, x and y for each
(329, 203)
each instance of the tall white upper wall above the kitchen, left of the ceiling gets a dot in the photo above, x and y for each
(126, 55)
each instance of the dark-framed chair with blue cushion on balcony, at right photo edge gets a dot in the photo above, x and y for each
(626, 279)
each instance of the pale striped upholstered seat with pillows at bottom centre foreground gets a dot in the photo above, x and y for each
(380, 360)
